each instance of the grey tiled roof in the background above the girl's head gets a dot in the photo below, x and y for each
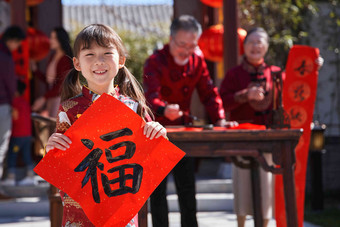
(144, 19)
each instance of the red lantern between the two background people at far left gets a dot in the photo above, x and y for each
(39, 44)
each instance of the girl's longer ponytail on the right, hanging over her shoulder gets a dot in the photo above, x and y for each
(129, 86)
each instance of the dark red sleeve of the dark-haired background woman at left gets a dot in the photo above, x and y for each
(63, 67)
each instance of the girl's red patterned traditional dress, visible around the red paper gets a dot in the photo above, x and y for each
(69, 111)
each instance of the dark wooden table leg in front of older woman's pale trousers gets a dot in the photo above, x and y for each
(256, 193)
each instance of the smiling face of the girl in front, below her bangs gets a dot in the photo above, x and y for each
(99, 65)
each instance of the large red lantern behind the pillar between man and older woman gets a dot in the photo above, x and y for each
(211, 42)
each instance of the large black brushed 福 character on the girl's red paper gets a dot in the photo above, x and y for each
(129, 175)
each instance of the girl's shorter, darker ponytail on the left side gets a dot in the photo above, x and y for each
(71, 86)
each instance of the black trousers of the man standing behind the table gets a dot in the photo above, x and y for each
(185, 185)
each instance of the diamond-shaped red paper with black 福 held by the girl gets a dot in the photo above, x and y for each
(111, 168)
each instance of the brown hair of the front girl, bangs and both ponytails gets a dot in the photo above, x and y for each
(128, 85)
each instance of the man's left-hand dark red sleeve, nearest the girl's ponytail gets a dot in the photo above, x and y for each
(152, 85)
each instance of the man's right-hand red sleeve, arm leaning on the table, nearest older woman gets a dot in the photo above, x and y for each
(208, 94)
